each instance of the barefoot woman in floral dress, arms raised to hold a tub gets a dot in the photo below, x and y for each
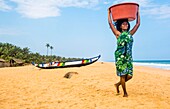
(123, 53)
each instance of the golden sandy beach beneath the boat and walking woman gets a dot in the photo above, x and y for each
(28, 87)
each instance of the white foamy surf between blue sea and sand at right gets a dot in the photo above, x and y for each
(155, 65)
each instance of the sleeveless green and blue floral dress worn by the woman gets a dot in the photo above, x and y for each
(123, 54)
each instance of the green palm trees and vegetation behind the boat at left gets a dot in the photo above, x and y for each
(9, 51)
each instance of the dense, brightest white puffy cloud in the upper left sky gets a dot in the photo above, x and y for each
(36, 8)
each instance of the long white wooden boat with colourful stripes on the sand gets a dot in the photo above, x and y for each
(79, 63)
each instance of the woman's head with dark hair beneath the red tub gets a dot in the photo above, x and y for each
(122, 25)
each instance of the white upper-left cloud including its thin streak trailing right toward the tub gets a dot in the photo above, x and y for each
(49, 8)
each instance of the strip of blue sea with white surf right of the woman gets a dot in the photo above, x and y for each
(163, 64)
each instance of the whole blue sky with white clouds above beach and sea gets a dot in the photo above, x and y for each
(79, 28)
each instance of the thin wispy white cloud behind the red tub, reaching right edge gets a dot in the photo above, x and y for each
(151, 9)
